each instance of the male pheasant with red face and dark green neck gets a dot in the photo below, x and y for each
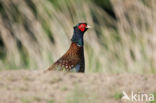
(73, 60)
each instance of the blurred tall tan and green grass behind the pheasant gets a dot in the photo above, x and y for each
(35, 33)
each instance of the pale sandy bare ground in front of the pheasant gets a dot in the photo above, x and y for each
(23, 86)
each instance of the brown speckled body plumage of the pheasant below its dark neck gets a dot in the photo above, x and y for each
(70, 59)
